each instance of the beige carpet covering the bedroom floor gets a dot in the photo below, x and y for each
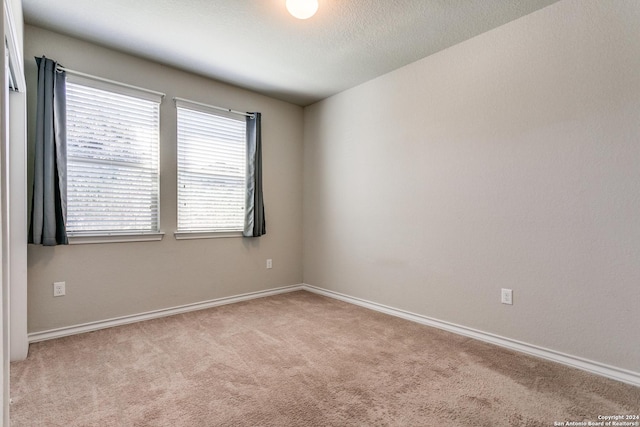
(298, 359)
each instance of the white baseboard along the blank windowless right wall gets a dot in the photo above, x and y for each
(601, 369)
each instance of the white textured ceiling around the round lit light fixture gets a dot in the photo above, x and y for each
(256, 44)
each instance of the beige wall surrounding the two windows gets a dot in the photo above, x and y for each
(116, 279)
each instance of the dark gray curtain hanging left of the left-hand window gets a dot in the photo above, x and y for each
(49, 207)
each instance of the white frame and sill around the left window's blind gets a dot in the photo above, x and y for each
(120, 236)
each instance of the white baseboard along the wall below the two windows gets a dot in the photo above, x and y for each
(124, 320)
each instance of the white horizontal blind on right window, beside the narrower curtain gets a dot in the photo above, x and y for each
(211, 170)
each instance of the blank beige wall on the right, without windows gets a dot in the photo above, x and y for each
(510, 160)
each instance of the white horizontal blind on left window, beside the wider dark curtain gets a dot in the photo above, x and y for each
(112, 161)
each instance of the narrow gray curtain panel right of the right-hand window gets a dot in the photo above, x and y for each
(254, 223)
